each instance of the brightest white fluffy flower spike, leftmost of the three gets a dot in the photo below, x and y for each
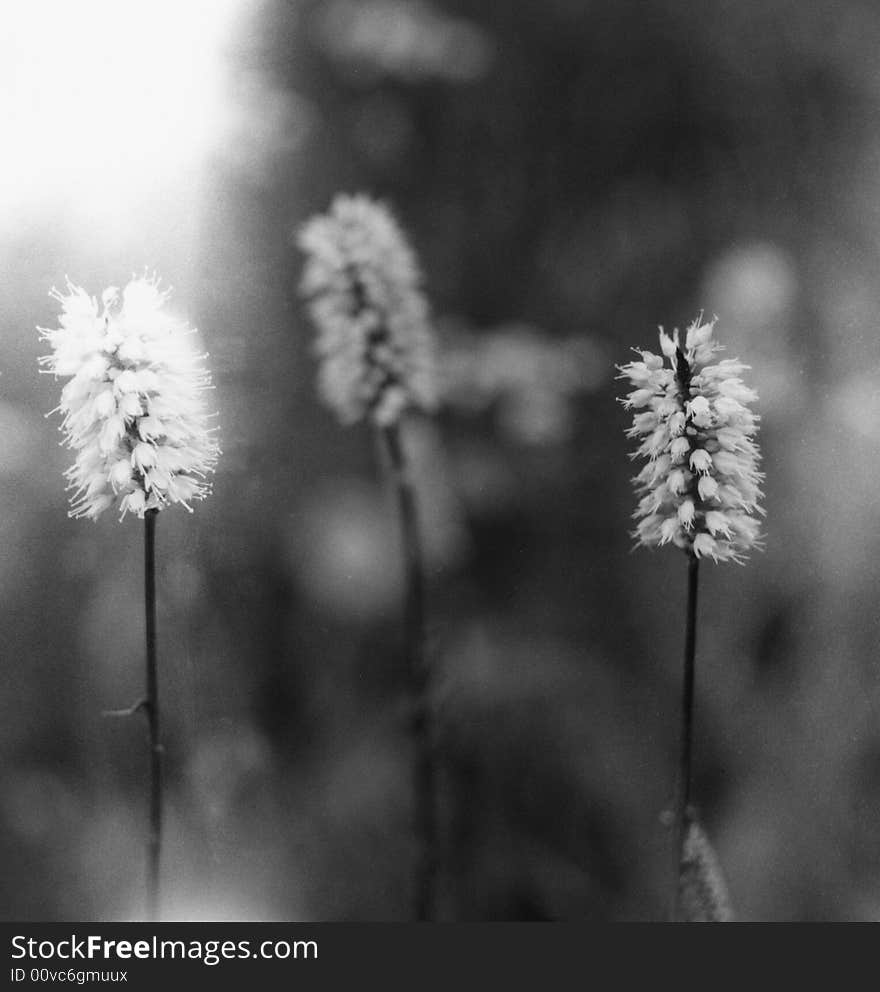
(133, 403)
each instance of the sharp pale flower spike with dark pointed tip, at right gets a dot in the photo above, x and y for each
(700, 486)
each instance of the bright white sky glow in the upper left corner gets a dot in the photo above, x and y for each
(102, 102)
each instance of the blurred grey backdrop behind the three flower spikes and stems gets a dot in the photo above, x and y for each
(572, 174)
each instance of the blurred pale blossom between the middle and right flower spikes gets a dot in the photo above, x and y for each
(531, 381)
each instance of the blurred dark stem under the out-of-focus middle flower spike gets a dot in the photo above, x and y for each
(414, 635)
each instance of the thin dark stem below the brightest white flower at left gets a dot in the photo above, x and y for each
(154, 849)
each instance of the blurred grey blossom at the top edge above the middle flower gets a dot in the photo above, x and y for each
(406, 39)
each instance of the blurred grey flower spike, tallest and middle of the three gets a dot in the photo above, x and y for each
(363, 287)
